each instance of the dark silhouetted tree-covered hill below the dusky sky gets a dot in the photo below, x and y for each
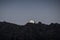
(29, 31)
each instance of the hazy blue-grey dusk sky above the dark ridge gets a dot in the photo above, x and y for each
(20, 12)
